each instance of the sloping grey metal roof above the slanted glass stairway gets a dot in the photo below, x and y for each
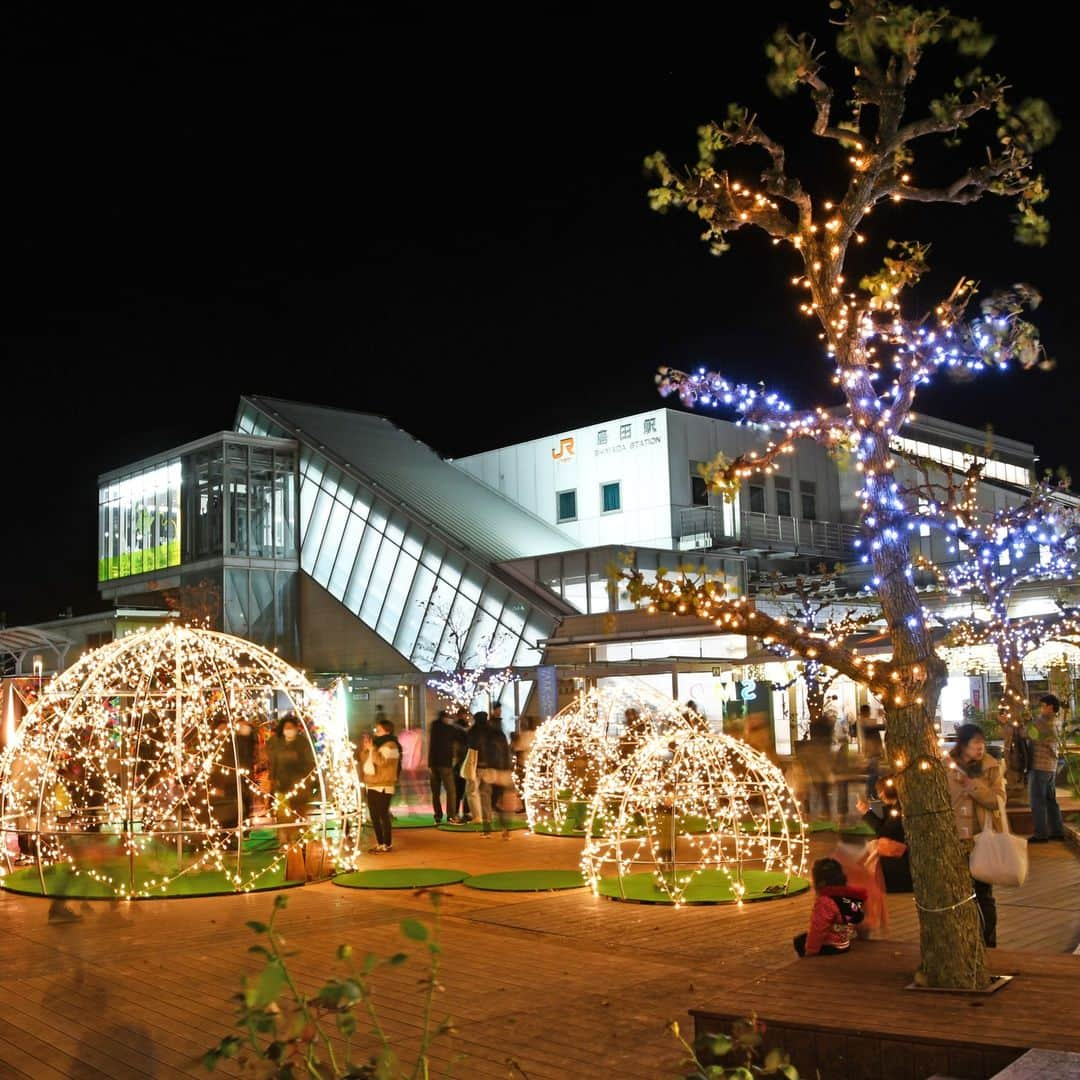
(480, 519)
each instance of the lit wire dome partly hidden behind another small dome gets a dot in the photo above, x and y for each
(590, 740)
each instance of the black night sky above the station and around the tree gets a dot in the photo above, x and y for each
(442, 223)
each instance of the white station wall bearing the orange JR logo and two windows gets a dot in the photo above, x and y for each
(630, 452)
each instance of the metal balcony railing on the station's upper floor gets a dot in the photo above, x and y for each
(707, 528)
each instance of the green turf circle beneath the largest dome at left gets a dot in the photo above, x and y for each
(63, 883)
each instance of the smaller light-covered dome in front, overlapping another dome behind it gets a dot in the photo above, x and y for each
(697, 817)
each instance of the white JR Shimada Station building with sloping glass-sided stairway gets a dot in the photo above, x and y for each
(357, 551)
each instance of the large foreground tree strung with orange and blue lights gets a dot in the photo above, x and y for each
(882, 352)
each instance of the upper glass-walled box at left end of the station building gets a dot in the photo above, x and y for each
(223, 498)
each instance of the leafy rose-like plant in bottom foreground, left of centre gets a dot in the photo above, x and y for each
(287, 1034)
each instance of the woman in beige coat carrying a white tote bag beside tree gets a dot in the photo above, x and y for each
(977, 785)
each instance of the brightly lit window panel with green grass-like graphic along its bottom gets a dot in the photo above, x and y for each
(140, 522)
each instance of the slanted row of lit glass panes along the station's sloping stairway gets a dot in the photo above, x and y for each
(435, 605)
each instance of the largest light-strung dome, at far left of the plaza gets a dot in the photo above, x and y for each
(134, 775)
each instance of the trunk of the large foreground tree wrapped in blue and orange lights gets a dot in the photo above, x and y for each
(950, 934)
